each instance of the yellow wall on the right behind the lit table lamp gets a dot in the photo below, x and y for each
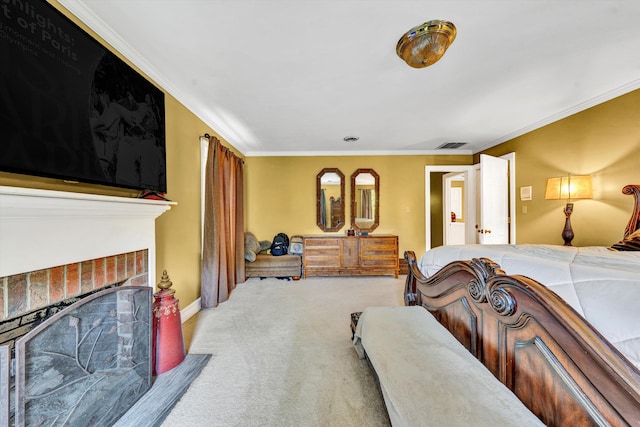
(603, 141)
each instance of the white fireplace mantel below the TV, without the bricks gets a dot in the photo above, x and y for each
(44, 228)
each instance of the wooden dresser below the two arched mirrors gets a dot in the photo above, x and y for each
(334, 255)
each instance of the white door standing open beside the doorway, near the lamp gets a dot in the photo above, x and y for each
(493, 226)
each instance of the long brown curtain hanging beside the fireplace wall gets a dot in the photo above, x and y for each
(223, 250)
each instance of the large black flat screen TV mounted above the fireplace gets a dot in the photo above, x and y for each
(71, 109)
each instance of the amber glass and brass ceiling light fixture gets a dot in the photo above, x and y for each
(425, 44)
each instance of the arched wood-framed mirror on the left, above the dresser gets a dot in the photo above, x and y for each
(330, 199)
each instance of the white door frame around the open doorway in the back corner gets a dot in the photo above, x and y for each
(470, 172)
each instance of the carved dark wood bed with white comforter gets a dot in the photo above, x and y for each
(568, 351)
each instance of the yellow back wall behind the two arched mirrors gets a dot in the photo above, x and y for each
(281, 194)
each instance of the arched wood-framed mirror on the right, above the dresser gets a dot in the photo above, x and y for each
(365, 200)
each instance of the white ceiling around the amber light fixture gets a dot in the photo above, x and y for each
(294, 77)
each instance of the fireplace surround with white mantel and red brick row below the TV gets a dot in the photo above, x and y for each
(55, 245)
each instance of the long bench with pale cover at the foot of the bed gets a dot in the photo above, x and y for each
(428, 378)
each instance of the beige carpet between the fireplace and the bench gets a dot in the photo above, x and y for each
(282, 356)
